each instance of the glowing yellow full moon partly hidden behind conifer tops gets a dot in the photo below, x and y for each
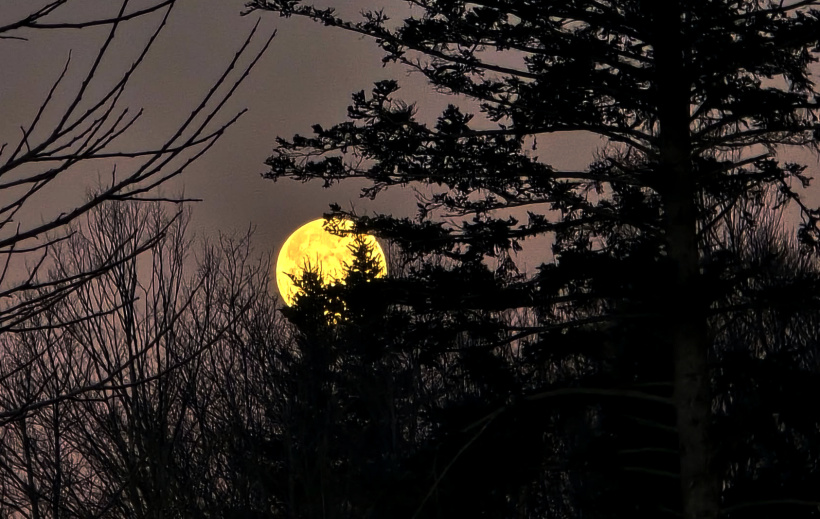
(312, 245)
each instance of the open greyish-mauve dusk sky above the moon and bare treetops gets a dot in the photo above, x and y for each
(306, 77)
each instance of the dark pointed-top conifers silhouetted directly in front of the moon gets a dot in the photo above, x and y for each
(354, 396)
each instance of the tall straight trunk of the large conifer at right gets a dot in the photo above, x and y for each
(685, 306)
